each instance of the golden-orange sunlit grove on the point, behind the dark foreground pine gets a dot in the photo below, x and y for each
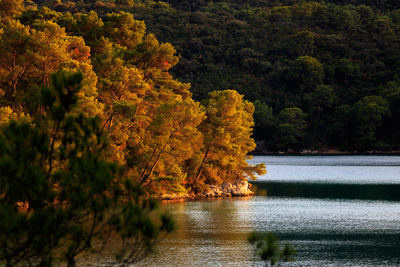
(166, 141)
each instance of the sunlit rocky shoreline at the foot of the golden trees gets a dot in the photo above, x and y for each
(237, 189)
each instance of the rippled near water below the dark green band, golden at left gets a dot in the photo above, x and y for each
(325, 232)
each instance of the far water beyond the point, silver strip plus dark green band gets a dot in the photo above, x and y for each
(338, 177)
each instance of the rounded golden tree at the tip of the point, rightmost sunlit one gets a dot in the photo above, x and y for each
(227, 140)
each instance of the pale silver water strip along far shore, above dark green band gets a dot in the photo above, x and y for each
(331, 169)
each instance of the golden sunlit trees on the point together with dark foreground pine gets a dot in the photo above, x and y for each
(93, 126)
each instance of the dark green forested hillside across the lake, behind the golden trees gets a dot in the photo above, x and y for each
(321, 74)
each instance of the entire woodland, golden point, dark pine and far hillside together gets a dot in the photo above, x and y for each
(107, 104)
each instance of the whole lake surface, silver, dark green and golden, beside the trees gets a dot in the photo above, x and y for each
(336, 211)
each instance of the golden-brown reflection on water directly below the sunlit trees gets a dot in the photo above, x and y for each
(210, 233)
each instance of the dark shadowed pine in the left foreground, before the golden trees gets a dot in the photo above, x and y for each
(59, 195)
